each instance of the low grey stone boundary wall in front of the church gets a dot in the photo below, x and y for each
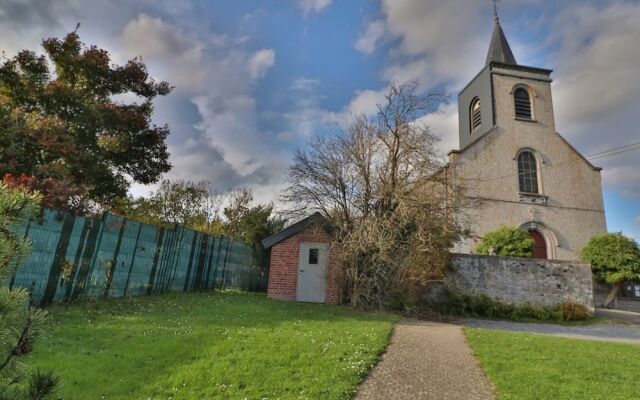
(523, 280)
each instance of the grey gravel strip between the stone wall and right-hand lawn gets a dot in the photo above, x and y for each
(623, 333)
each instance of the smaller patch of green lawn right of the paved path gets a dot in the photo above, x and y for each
(527, 366)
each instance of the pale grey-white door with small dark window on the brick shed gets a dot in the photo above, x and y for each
(312, 272)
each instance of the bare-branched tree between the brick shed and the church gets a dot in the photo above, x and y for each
(383, 186)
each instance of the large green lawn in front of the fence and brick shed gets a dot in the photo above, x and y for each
(216, 345)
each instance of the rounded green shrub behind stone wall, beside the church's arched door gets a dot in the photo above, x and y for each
(507, 241)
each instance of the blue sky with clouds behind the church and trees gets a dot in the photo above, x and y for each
(254, 79)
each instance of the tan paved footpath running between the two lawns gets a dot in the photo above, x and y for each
(427, 360)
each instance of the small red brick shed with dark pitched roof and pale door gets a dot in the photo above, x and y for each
(302, 267)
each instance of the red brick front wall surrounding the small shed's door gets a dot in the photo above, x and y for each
(283, 270)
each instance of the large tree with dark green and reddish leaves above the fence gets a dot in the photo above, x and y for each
(64, 133)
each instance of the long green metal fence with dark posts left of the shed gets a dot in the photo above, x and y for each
(76, 257)
